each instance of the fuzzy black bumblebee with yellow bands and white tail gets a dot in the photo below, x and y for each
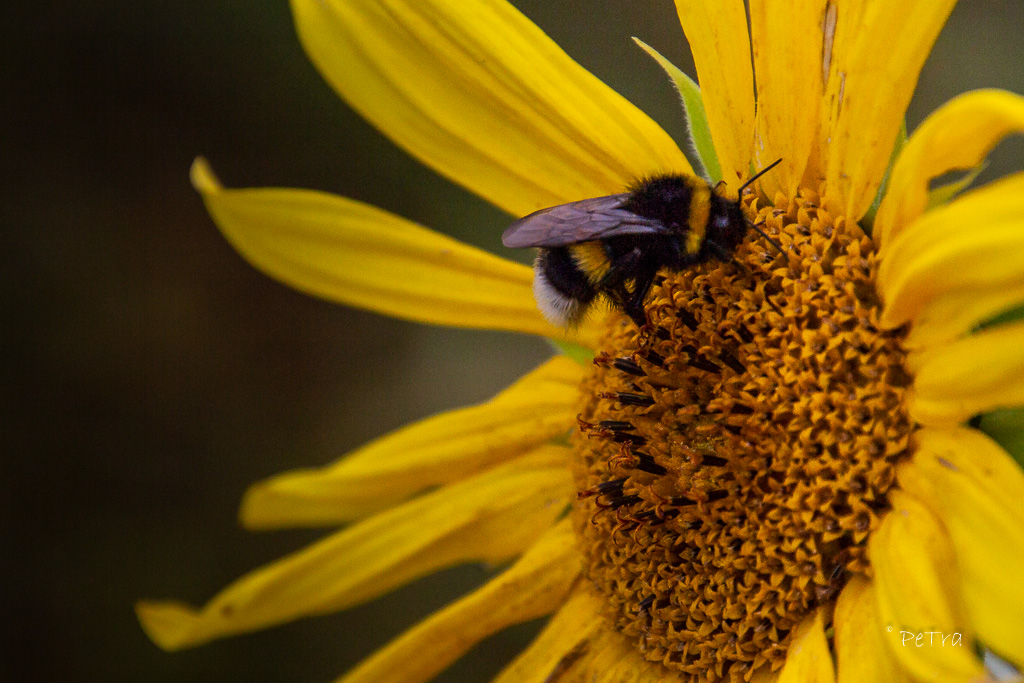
(615, 246)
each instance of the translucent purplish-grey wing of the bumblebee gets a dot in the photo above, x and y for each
(580, 222)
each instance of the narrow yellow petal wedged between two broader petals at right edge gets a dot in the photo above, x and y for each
(955, 314)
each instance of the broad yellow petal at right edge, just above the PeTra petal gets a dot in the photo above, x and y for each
(976, 490)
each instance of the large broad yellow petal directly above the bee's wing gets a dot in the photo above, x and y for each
(478, 93)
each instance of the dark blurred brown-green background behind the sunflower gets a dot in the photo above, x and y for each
(150, 375)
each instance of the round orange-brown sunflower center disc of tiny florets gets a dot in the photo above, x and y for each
(734, 460)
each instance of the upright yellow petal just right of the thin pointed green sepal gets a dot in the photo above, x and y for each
(717, 34)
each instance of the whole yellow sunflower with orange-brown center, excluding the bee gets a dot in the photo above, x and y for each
(784, 475)
